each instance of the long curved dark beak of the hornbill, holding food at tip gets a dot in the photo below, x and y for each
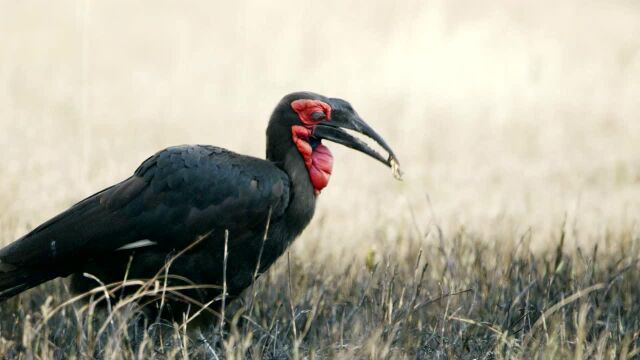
(332, 131)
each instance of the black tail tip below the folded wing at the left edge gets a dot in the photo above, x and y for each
(16, 280)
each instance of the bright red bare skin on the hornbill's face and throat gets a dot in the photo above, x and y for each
(319, 161)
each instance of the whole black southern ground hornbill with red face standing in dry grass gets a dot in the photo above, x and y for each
(196, 193)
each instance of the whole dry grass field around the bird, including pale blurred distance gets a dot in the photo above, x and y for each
(515, 233)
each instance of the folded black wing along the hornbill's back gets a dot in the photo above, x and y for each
(174, 196)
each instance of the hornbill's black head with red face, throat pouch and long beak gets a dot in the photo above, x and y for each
(304, 119)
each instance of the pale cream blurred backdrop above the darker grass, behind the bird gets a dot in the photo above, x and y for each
(506, 115)
